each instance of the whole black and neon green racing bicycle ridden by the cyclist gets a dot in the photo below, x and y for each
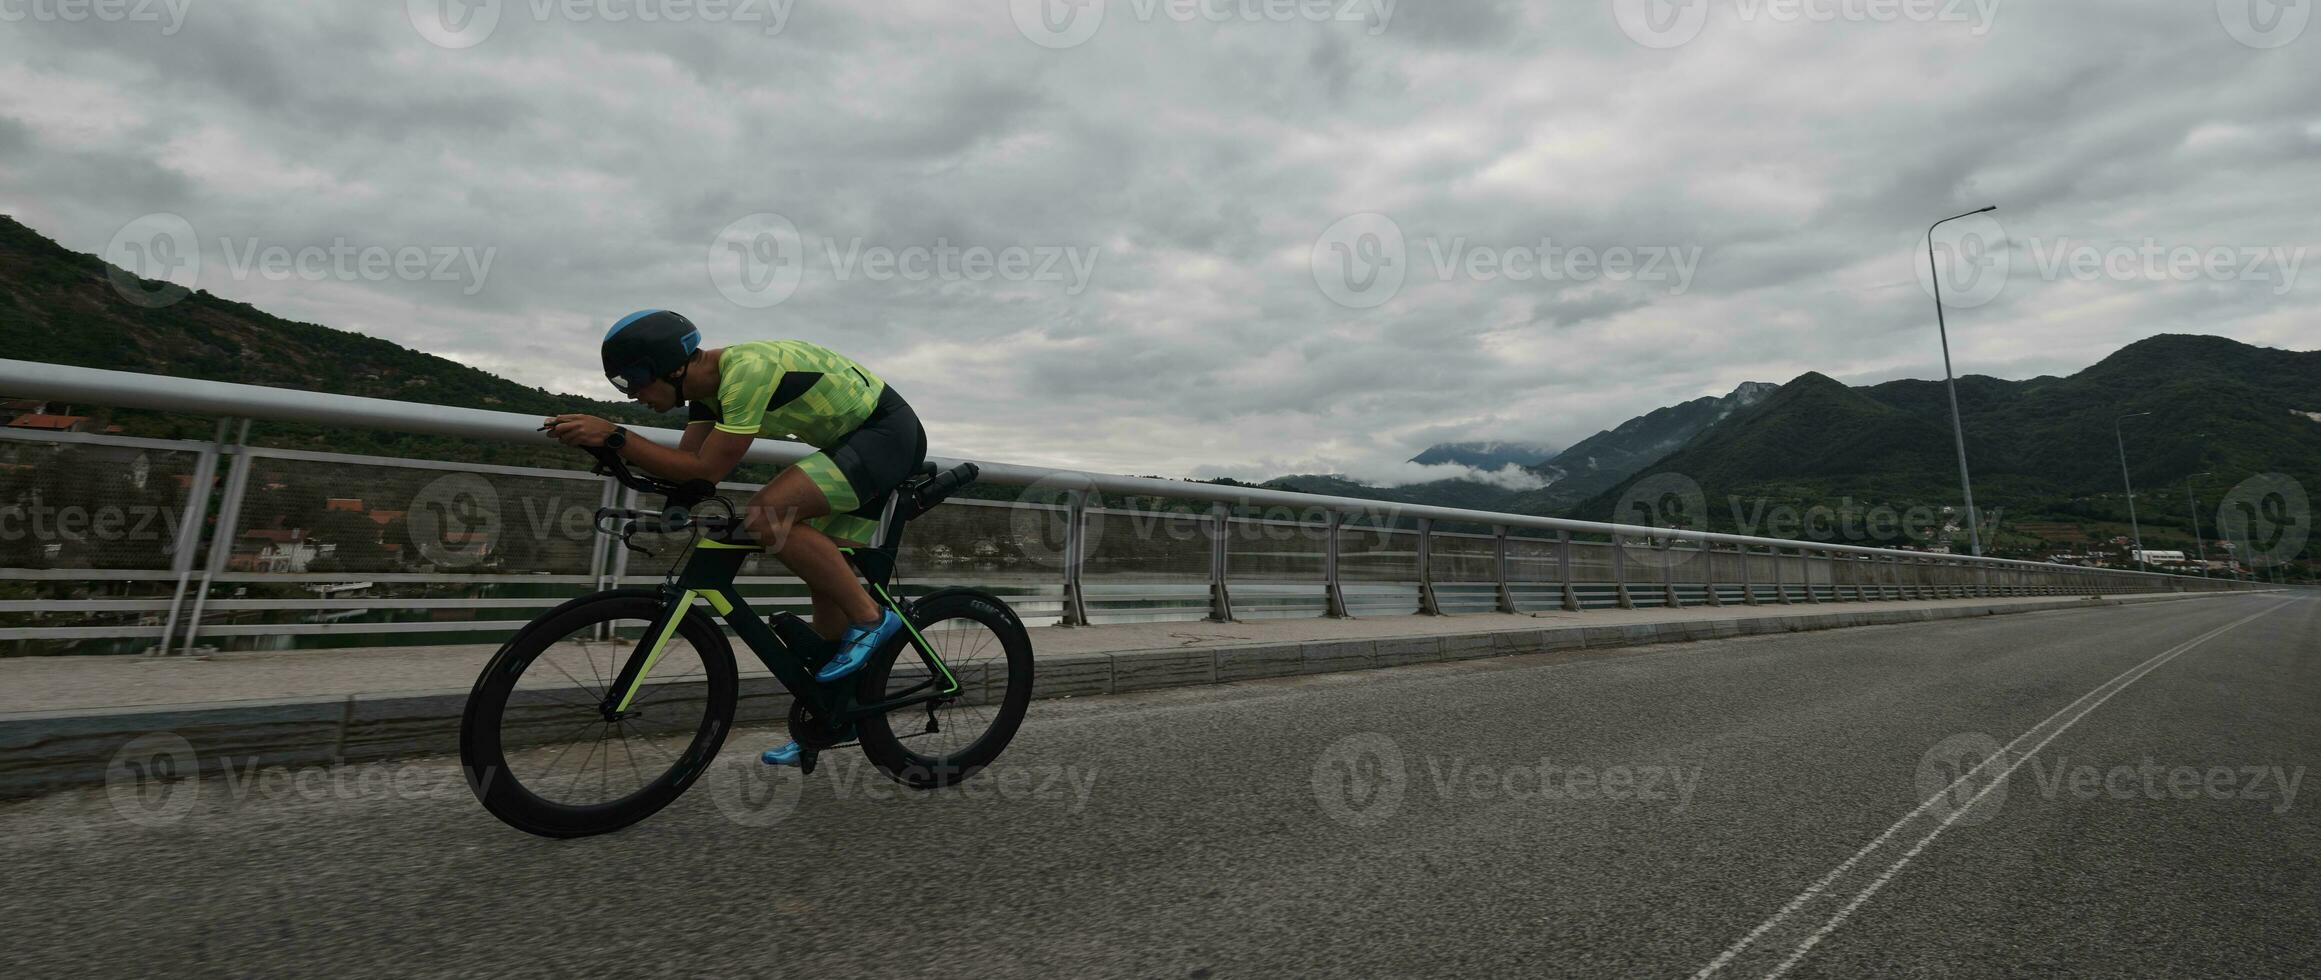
(612, 705)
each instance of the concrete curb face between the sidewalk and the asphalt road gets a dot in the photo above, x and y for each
(45, 751)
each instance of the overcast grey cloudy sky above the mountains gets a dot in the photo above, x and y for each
(1206, 238)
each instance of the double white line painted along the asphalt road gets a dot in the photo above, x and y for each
(2069, 716)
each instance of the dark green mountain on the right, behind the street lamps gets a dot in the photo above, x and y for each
(2041, 449)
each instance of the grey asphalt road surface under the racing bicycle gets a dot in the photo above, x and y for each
(1756, 807)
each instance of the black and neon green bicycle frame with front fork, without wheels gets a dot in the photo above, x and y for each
(709, 575)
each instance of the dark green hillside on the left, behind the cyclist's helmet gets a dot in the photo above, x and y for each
(62, 308)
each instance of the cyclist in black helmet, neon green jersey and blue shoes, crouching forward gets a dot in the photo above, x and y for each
(867, 442)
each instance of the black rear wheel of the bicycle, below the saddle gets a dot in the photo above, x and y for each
(985, 649)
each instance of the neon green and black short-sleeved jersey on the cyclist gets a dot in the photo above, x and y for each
(790, 391)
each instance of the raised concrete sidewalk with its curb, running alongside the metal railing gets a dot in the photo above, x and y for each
(64, 719)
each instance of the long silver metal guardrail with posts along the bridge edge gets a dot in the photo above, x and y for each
(1250, 554)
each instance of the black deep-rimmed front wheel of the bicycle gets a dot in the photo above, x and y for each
(540, 751)
